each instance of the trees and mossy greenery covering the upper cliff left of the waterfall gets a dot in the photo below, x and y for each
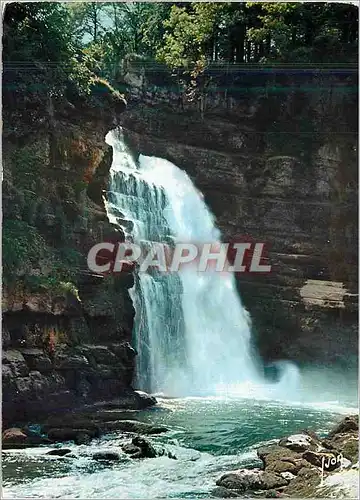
(48, 83)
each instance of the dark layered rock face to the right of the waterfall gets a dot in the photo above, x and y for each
(275, 155)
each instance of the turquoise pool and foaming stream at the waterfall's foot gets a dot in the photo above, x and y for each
(208, 436)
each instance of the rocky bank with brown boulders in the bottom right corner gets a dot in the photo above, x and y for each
(300, 465)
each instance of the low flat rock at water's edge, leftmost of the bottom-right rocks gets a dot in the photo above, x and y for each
(254, 479)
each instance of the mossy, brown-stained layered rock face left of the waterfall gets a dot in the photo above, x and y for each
(66, 333)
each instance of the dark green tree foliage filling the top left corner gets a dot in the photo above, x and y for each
(43, 60)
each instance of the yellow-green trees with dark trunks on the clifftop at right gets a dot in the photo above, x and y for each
(201, 33)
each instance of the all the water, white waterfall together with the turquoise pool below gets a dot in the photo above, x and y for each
(193, 339)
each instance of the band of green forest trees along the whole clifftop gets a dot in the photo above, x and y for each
(79, 39)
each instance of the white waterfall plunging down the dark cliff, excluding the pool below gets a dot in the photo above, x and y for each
(191, 331)
